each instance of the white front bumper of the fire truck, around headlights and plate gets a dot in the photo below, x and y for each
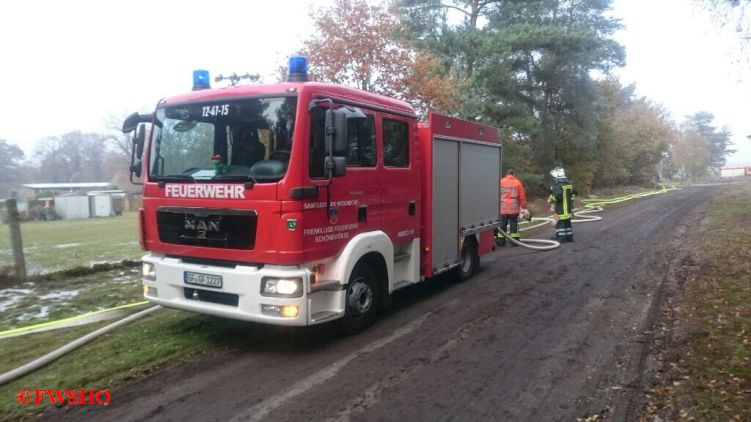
(240, 295)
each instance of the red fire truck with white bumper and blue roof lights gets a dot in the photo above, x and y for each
(300, 202)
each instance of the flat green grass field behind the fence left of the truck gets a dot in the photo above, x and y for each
(57, 245)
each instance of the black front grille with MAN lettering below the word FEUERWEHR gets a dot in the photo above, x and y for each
(212, 228)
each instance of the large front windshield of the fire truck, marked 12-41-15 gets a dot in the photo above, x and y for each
(230, 140)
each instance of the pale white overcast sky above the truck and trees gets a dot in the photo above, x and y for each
(69, 65)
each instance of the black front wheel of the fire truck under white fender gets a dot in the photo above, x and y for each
(361, 300)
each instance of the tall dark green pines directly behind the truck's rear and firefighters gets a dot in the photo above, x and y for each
(527, 67)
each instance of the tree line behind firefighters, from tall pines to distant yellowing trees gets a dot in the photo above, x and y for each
(539, 69)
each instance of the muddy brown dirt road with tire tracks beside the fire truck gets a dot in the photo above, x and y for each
(534, 336)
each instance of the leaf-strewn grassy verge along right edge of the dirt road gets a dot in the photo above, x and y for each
(703, 342)
